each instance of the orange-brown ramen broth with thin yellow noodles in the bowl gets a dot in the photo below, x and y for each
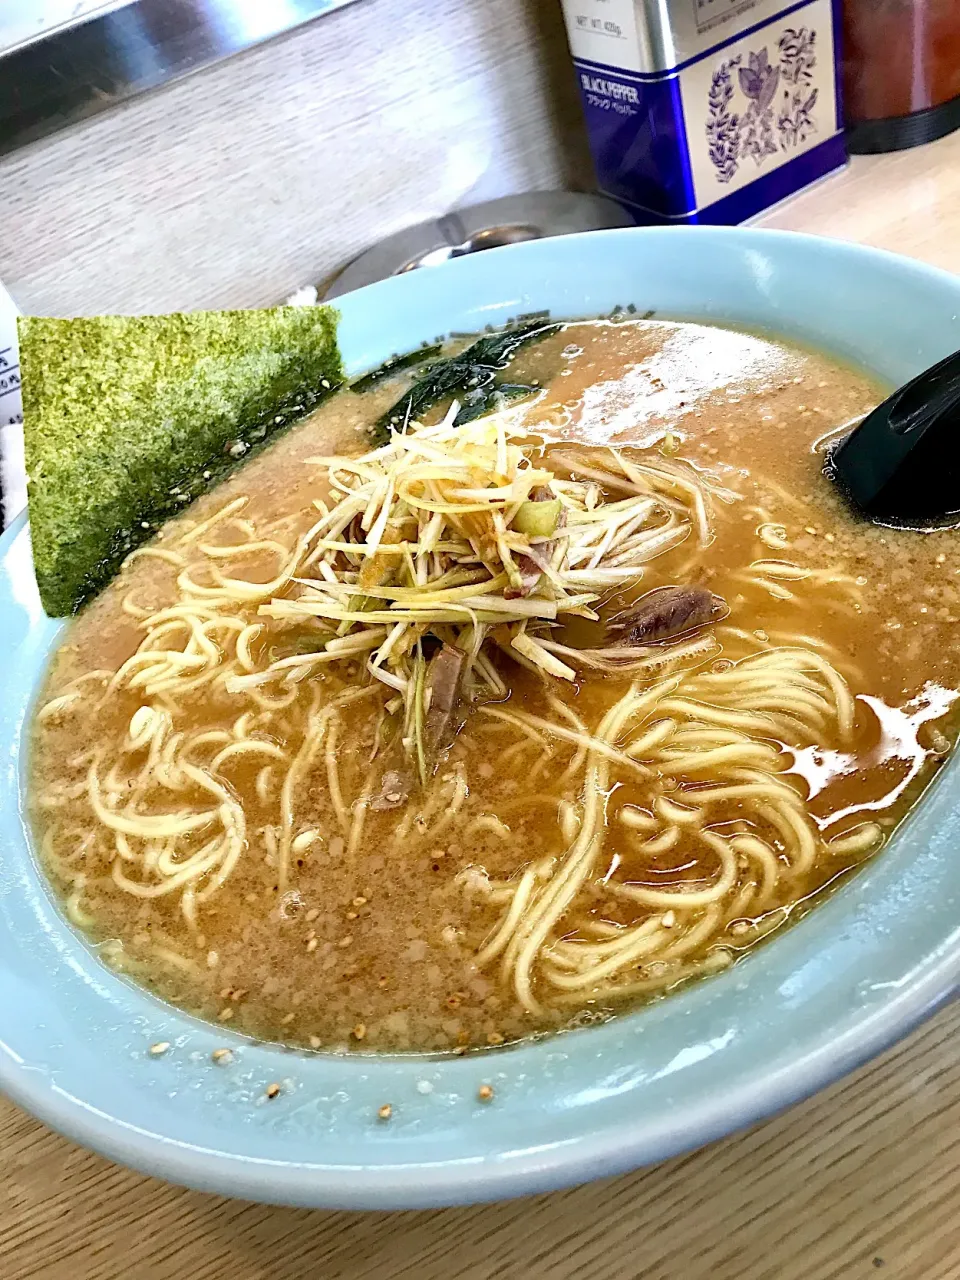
(550, 870)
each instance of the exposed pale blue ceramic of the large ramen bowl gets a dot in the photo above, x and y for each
(819, 1000)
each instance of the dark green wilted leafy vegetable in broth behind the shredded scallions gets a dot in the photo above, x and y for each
(470, 371)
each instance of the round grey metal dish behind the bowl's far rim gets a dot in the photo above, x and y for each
(487, 226)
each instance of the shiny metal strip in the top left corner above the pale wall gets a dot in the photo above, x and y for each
(65, 61)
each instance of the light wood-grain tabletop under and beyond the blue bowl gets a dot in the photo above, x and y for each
(861, 1181)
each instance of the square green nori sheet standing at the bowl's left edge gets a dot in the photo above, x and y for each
(129, 419)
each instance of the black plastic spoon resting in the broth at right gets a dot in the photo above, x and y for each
(902, 465)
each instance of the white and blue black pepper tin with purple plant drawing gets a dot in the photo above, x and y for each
(708, 111)
